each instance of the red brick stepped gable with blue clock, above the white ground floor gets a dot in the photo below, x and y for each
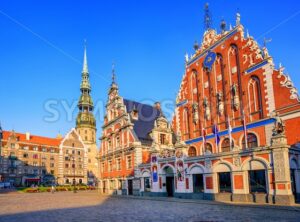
(230, 76)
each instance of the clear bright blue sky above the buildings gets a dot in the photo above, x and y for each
(42, 49)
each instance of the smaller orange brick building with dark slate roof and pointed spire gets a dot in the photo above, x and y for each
(130, 131)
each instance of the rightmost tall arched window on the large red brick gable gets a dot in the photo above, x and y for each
(254, 97)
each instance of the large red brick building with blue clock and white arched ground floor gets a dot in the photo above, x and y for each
(238, 116)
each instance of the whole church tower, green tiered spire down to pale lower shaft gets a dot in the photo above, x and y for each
(86, 123)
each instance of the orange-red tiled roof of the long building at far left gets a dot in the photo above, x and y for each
(40, 140)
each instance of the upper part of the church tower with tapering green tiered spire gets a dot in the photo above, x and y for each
(86, 123)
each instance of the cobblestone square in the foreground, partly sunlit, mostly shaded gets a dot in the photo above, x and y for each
(91, 206)
